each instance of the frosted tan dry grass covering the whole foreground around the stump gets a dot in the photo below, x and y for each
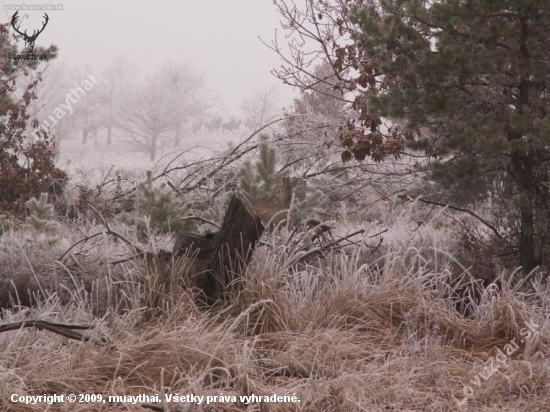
(340, 331)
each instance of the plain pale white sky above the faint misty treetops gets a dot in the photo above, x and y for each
(219, 37)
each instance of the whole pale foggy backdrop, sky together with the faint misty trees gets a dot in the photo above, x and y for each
(133, 49)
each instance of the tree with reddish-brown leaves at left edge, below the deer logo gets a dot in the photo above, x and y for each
(26, 169)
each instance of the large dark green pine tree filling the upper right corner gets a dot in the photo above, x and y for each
(471, 77)
